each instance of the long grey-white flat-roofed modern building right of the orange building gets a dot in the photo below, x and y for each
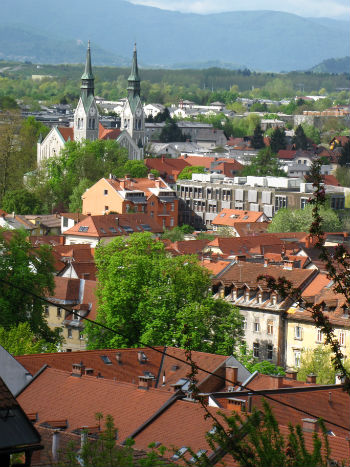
(203, 197)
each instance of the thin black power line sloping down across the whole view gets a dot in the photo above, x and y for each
(96, 323)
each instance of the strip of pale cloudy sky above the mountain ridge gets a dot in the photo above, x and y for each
(313, 8)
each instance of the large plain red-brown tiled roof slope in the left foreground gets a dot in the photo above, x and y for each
(57, 395)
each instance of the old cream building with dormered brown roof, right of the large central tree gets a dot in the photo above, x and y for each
(263, 310)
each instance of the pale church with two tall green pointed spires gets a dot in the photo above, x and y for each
(87, 126)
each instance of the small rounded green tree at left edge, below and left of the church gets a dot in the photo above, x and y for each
(21, 201)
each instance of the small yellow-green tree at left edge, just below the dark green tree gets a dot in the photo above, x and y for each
(20, 340)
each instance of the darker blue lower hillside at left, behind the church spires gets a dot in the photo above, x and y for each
(20, 43)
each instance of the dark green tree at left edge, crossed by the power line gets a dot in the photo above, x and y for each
(32, 270)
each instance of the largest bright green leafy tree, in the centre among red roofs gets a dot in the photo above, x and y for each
(155, 299)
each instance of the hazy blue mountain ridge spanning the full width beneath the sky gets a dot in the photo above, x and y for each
(258, 40)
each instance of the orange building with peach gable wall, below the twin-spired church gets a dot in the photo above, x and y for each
(151, 195)
